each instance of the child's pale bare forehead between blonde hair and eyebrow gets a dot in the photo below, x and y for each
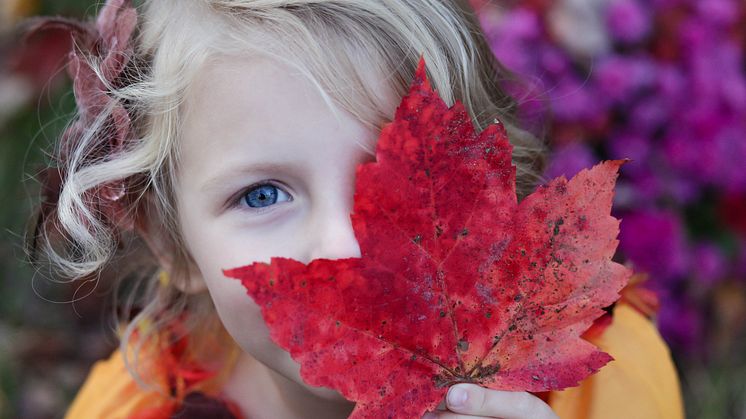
(254, 109)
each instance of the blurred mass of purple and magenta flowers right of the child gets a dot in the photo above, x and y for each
(661, 82)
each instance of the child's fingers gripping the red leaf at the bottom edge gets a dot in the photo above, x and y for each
(483, 402)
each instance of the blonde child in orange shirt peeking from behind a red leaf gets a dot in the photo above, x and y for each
(216, 132)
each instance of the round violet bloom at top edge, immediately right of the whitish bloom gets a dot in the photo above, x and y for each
(628, 20)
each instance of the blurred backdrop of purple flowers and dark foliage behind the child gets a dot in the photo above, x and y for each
(661, 82)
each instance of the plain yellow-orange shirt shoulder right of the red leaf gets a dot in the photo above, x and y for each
(641, 381)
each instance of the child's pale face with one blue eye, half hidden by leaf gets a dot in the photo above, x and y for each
(265, 170)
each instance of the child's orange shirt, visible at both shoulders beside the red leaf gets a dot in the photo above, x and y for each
(641, 381)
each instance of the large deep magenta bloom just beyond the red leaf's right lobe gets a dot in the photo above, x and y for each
(654, 241)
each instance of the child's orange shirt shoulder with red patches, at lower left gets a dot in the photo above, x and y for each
(172, 381)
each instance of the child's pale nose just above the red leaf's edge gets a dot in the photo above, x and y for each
(332, 236)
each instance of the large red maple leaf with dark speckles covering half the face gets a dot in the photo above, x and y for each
(457, 281)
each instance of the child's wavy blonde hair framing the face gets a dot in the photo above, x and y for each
(332, 42)
